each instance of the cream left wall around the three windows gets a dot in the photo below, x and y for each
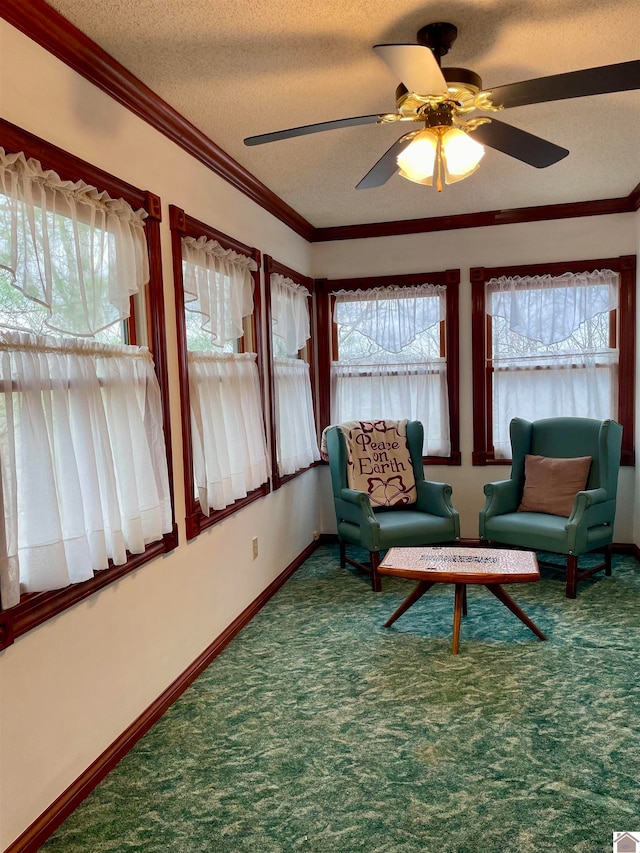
(71, 686)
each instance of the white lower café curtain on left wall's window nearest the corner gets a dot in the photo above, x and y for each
(296, 439)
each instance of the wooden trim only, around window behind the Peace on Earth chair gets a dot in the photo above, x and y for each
(451, 279)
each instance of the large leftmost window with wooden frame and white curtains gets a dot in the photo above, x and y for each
(85, 485)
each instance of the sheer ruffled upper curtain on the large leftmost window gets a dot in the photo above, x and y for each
(68, 247)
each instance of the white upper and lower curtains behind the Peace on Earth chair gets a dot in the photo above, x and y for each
(390, 366)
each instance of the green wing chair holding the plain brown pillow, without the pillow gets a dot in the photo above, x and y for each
(589, 526)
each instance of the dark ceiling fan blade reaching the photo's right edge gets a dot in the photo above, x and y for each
(621, 77)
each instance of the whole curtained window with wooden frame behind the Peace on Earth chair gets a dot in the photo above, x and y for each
(393, 353)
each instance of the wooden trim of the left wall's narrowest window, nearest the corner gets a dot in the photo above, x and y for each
(272, 266)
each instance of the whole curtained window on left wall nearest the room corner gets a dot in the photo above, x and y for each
(293, 427)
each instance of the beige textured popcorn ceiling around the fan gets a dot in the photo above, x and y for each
(236, 70)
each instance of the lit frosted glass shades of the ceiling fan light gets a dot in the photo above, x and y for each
(438, 150)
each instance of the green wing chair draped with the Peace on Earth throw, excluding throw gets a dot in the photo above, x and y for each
(430, 520)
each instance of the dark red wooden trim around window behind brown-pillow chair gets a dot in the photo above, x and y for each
(625, 266)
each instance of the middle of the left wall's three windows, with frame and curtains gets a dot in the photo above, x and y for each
(218, 313)
